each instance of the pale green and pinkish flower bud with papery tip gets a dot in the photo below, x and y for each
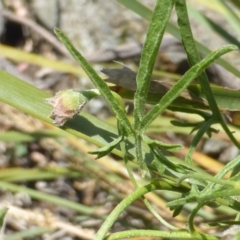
(66, 104)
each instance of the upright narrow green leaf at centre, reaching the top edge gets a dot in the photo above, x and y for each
(151, 45)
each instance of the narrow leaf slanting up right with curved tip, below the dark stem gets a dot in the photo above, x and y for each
(183, 83)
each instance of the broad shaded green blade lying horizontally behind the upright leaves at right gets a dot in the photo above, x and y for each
(228, 101)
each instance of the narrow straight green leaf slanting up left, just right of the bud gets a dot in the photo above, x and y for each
(97, 81)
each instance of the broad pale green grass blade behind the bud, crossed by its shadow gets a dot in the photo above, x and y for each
(29, 99)
